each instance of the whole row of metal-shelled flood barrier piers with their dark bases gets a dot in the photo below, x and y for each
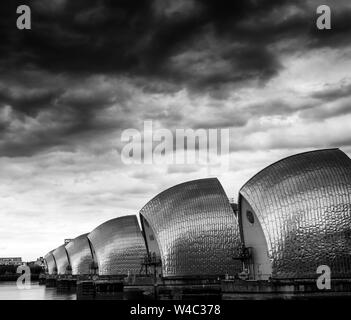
(291, 220)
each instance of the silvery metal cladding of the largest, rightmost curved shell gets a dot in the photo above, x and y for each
(304, 206)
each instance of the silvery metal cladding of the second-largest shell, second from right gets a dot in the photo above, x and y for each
(195, 228)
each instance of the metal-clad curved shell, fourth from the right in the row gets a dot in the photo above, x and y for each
(80, 255)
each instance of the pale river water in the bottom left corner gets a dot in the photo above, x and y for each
(9, 291)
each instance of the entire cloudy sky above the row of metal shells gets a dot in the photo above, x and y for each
(89, 69)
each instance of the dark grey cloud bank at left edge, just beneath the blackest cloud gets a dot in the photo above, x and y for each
(39, 117)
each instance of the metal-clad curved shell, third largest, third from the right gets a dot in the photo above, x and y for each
(119, 246)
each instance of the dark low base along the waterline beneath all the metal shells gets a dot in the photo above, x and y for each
(148, 288)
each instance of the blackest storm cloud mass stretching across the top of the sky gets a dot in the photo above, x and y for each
(141, 37)
